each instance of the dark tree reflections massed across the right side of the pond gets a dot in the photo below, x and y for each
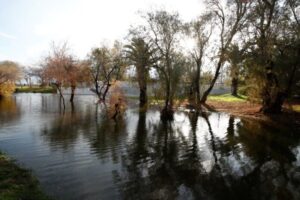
(167, 164)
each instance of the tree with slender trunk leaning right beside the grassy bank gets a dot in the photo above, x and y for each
(230, 19)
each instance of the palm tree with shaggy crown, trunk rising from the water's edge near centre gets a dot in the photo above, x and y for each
(141, 55)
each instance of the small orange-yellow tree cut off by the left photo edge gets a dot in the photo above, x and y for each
(9, 73)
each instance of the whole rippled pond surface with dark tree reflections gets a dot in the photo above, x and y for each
(84, 155)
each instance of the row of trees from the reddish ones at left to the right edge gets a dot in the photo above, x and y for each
(256, 42)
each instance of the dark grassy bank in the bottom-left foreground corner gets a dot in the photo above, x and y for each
(17, 183)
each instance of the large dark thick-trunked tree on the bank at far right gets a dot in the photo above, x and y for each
(276, 50)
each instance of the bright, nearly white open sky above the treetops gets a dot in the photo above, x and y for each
(27, 27)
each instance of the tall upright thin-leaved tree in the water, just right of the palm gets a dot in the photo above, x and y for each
(164, 29)
